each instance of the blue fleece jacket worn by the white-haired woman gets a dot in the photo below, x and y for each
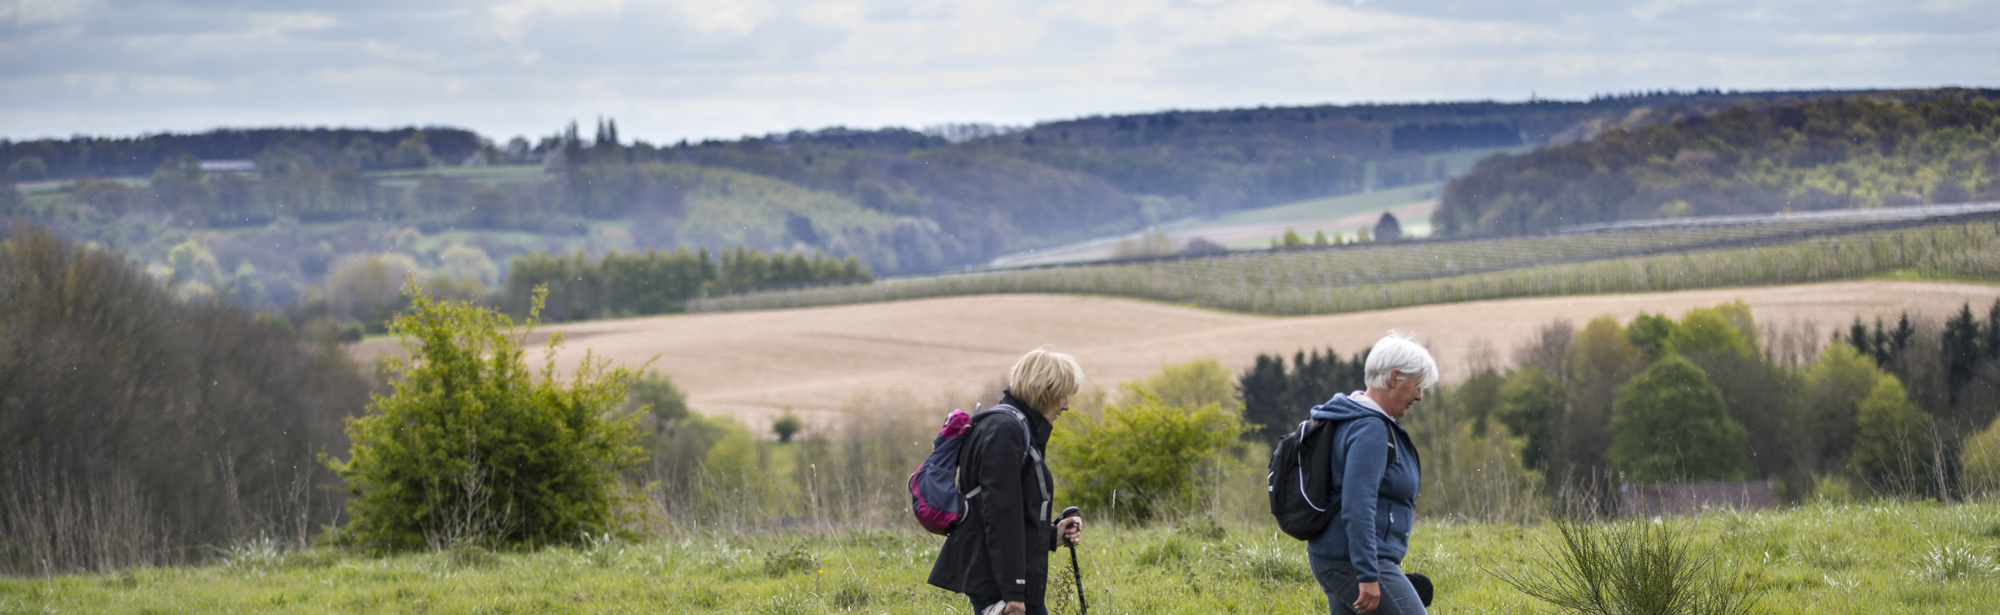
(1377, 488)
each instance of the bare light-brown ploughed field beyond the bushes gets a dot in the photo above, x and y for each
(755, 364)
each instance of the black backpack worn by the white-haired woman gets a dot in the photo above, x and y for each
(1301, 478)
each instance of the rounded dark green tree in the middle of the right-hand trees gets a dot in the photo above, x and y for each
(1671, 424)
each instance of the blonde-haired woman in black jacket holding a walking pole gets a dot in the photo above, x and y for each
(999, 552)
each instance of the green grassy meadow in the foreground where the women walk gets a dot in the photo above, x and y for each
(1823, 560)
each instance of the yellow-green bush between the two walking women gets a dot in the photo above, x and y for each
(1139, 460)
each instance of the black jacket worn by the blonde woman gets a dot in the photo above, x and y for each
(1001, 548)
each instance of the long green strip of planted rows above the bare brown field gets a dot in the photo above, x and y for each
(1645, 257)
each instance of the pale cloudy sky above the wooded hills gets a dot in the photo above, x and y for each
(727, 69)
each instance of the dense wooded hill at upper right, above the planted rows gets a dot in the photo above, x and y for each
(1899, 149)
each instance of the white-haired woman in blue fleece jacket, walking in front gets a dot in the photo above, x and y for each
(1377, 472)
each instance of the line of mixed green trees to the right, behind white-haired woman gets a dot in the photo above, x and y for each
(1711, 396)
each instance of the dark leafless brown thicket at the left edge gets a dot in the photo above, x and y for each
(139, 428)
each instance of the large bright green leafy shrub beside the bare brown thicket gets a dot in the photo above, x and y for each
(473, 448)
